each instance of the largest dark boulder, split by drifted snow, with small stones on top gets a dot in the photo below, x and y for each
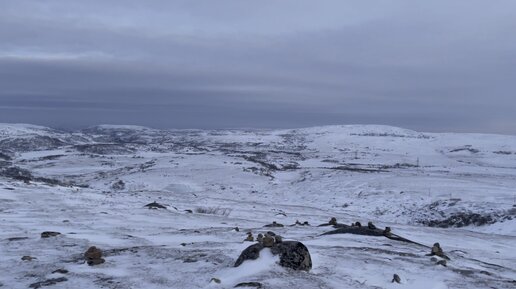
(293, 254)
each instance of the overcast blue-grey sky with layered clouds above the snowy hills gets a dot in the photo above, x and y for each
(424, 65)
